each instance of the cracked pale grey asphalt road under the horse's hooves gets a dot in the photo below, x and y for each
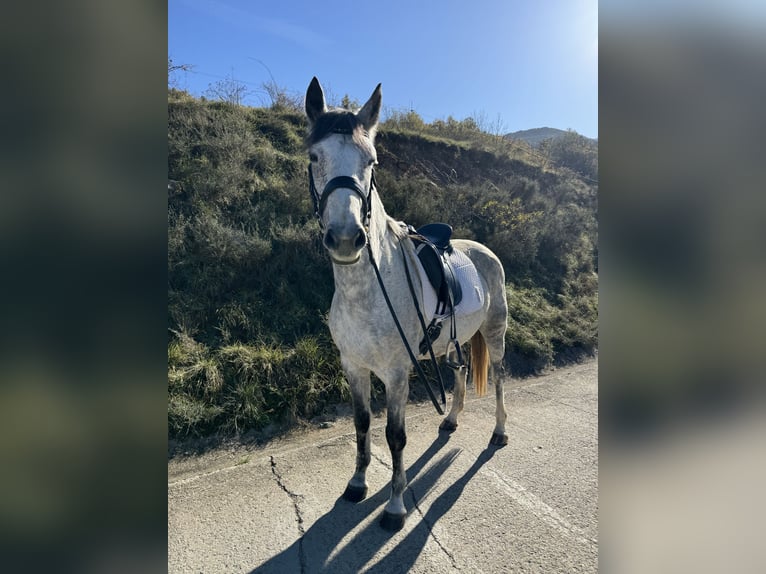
(531, 506)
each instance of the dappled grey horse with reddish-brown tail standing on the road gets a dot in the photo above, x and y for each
(358, 234)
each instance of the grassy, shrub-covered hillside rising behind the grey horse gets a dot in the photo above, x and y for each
(249, 284)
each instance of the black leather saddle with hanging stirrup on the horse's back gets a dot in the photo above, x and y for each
(433, 248)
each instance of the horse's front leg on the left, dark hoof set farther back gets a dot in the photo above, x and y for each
(359, 381)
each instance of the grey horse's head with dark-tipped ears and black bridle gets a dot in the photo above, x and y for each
(342, 153)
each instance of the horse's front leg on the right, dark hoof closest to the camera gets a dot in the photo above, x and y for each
(396, 401)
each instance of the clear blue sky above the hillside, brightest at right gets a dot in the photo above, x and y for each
(520, 63)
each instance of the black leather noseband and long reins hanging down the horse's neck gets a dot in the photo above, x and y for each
(346, 182)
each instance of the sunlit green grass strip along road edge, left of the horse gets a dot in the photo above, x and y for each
(241, 386)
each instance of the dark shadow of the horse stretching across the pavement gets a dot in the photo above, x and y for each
(316, 550)
